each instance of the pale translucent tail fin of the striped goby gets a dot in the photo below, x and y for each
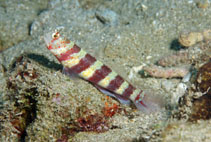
(149, 102)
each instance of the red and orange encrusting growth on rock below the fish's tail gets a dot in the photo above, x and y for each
(89, 122)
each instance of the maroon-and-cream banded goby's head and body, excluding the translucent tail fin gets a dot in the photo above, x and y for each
(76, 60)
